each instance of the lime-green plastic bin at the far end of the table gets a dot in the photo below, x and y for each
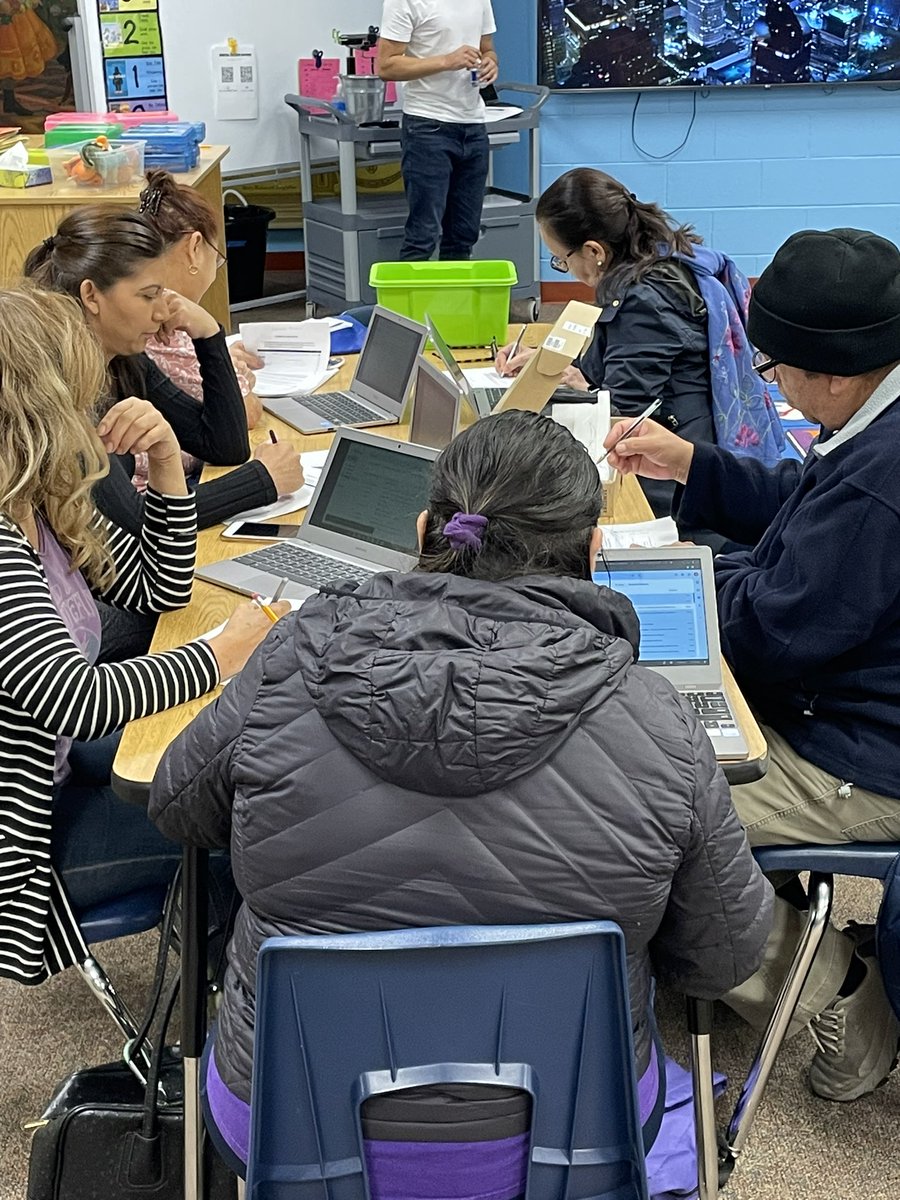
(467, 302)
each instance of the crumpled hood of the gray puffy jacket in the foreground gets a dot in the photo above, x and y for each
(500, 674)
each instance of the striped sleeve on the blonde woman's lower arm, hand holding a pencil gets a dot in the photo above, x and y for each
(49, 677)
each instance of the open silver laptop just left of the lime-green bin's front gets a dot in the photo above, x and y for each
(380, 386)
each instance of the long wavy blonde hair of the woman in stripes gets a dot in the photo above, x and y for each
(52, 376)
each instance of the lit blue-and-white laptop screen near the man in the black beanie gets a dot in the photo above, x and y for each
(669, 602)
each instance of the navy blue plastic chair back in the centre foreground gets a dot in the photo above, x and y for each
(544, 1009)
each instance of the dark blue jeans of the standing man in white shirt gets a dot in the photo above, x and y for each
(445, 173)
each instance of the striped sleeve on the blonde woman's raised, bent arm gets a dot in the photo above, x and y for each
(154, 573)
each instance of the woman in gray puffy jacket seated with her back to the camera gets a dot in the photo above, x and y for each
(471, 737)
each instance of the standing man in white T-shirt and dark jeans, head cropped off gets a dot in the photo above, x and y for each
(443, 52)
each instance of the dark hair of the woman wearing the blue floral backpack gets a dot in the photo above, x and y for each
(590, 206)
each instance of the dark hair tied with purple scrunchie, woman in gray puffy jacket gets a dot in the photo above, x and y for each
(537, 487)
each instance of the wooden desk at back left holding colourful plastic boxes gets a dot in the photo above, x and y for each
(28, 215)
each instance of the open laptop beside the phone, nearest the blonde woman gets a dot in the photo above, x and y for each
(362, 521)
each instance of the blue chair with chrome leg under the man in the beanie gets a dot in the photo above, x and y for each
(871, 861)
